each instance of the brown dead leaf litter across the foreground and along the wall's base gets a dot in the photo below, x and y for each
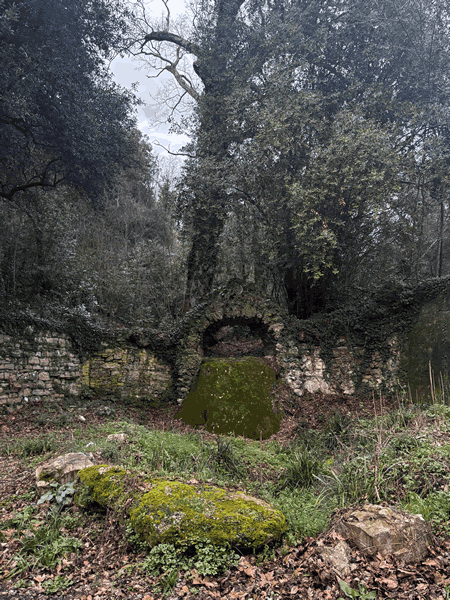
(106, 567)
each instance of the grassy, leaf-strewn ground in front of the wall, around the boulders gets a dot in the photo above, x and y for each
(349, 452)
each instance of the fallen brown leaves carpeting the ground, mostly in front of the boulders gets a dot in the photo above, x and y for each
(106, 569)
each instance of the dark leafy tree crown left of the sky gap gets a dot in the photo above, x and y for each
(62, 119)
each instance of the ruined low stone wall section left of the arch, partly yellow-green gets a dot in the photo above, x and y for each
(39, 365)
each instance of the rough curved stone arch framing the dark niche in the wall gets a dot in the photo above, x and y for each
(236, 306)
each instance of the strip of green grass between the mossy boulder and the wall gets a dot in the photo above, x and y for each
(347, 462)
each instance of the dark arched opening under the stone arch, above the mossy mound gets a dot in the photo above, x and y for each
(238, 336)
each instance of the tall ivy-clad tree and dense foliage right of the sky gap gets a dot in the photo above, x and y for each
(320, 145)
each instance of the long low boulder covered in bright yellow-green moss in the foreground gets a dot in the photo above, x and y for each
(173, 512)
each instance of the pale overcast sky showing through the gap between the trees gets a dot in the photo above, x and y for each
(126, 71)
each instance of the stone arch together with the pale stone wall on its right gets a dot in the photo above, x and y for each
(322, 361)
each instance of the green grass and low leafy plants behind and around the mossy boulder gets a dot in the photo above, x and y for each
(401, 457)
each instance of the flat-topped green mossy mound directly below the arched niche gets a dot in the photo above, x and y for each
(233, 396)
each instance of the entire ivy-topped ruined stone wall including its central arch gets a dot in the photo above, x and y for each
(395, 338)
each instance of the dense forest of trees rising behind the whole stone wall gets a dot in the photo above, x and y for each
(317, 167)
